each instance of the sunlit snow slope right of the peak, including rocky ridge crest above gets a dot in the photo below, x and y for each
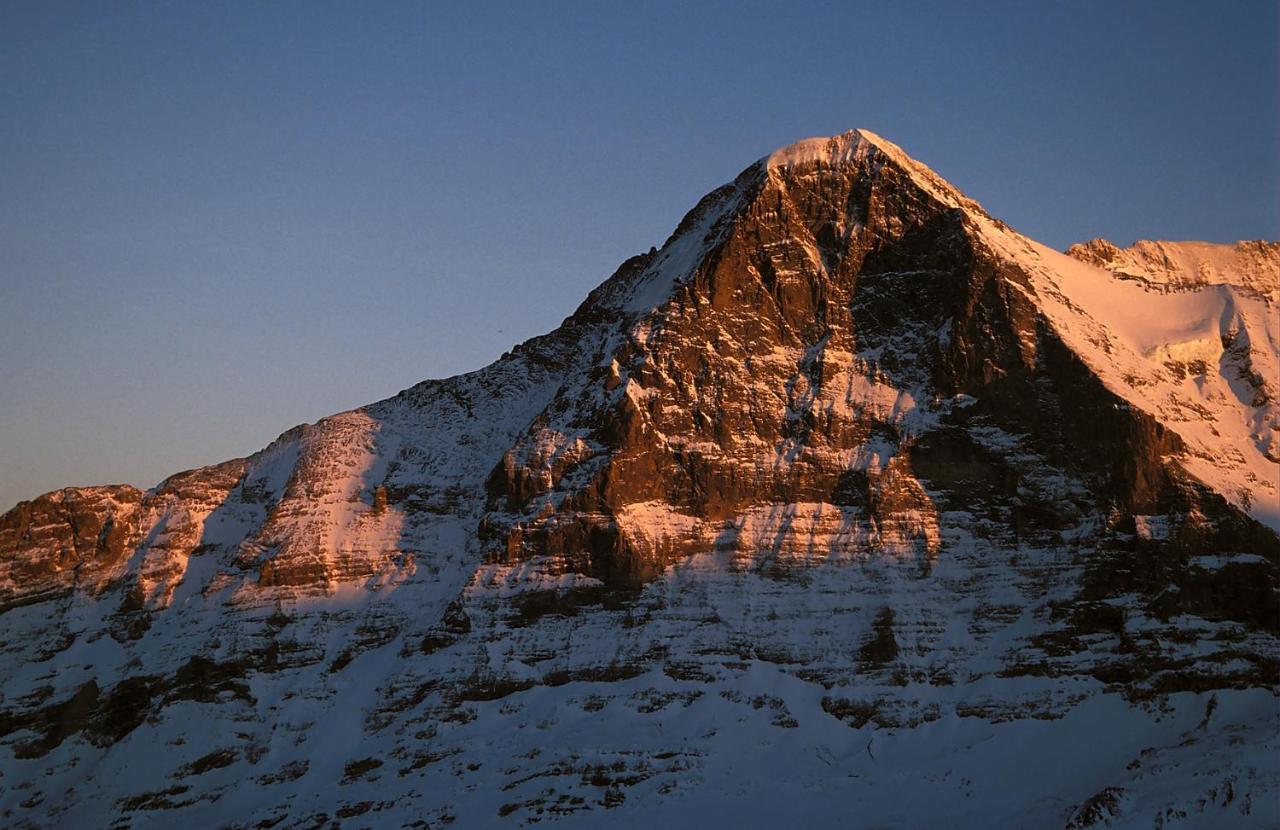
(1190, 335)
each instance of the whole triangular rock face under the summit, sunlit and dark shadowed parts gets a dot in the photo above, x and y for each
(847, 307)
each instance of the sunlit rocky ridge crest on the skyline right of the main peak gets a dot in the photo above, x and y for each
(1254, 266)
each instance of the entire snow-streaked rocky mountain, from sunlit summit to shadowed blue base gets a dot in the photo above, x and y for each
(848, 505)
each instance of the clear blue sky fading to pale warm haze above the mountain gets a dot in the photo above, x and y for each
(218, 221)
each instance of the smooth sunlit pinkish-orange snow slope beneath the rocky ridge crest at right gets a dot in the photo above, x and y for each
(1203, 361)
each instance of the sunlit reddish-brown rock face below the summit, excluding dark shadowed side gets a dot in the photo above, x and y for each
(738, 395)
